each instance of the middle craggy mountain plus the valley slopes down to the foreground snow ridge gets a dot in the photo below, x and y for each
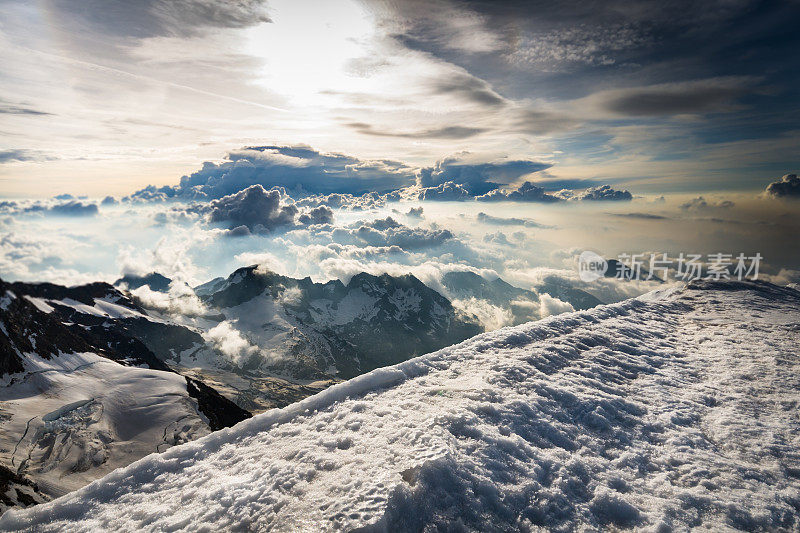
(270, 340)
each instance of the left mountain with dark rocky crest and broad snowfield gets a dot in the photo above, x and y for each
(80, 397)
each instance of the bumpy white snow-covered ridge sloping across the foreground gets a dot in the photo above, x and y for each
(672, 411)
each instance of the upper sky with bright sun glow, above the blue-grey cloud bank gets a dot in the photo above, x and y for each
(104, 97)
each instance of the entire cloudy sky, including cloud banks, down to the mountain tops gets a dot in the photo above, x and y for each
(191, 137)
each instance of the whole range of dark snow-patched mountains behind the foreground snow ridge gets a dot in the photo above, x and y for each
(92, 378)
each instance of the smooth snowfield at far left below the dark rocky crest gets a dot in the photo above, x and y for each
(76, 417)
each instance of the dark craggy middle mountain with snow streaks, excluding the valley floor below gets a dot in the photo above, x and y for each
(321, 331)
